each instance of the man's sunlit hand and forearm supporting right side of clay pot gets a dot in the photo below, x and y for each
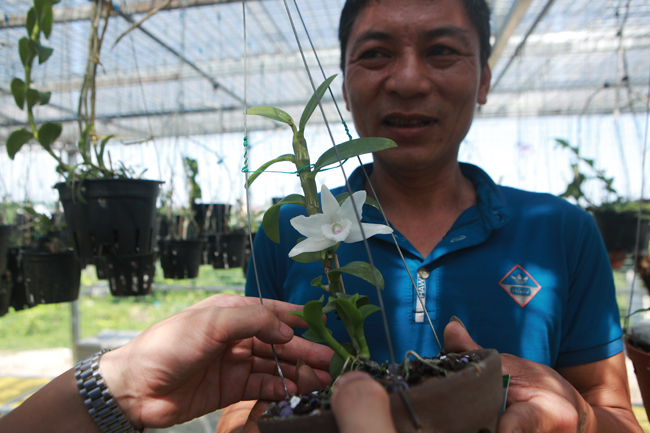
(586, 398)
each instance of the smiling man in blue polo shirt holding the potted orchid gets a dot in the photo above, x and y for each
(526, 273)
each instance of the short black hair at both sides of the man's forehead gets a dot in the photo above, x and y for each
(477, 10)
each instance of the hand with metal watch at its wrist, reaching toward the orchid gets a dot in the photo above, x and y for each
(208, 357)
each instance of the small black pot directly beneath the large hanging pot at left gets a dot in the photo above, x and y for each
(129, 275)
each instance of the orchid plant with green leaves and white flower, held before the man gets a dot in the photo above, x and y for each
(328, 223)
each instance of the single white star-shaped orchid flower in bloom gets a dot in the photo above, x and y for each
(336, 224)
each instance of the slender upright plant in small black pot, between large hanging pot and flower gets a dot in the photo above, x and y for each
(181, 252)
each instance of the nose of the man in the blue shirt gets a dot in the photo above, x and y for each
(409, 77)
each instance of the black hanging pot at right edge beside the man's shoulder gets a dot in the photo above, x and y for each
(618, 230)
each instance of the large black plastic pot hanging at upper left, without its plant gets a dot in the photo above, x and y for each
(118, 216)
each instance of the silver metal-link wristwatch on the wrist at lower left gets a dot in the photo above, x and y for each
(98, 399)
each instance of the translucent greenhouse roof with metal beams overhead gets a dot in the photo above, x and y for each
(182, 71)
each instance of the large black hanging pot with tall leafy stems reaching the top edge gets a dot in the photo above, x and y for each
(108, 208)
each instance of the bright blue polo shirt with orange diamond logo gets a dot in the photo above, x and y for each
(527, 273)
